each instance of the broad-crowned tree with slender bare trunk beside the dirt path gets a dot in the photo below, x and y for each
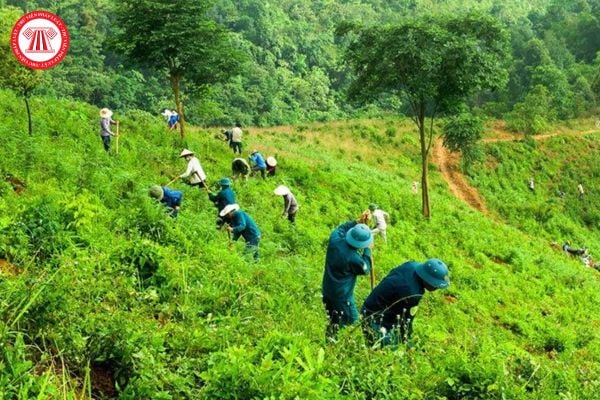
(432, 63)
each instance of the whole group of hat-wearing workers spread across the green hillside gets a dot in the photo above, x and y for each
(390, 308)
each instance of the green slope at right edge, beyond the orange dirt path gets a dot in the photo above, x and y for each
(557, 163)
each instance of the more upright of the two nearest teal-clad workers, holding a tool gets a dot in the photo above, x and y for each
(343, 263)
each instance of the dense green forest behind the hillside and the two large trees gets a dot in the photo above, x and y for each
(293, 69)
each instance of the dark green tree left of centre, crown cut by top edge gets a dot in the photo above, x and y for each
(177, 36)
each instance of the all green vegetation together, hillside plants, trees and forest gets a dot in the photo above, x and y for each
(103, 295)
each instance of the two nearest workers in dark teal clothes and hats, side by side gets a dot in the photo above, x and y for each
(389, 310)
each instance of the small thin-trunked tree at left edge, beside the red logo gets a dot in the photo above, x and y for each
(14, 75)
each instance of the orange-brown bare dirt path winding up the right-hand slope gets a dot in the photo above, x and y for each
(448, 164)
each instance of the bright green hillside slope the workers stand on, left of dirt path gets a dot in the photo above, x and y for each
(108, 297)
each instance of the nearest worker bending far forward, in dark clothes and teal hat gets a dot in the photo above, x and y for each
(389, 311)
